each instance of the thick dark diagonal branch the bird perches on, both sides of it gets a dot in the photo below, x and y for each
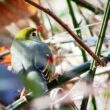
(77, 71)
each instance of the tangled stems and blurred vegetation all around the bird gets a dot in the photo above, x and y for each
(81, 80)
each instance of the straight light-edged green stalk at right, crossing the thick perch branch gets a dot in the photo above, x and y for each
(100, 40)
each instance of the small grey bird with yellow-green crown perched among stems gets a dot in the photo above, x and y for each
(32, 57)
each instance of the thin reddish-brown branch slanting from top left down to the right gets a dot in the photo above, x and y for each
(65, 26)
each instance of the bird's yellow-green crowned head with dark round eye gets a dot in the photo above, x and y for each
(28, 33)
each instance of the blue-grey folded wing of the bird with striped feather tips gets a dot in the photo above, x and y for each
(41, 61)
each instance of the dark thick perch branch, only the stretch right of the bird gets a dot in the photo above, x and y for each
(73, 73)
